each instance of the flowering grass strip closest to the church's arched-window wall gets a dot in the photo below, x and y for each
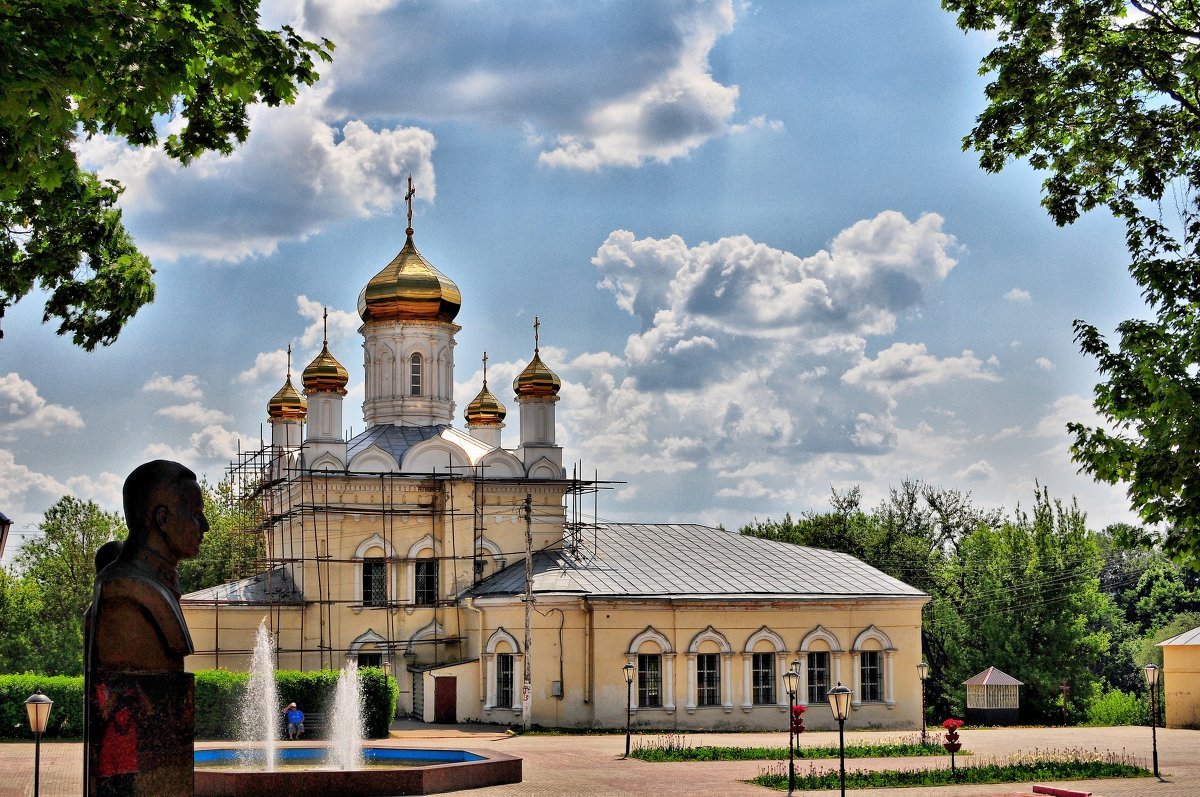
(675, 747)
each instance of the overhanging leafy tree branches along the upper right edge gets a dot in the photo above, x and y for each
(1105, 97)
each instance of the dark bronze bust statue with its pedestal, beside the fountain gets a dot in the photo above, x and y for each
(140, 722)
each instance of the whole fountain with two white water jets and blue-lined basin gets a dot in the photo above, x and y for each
(346, 768)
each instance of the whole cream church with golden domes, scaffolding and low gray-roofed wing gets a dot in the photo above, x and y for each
(470, 572)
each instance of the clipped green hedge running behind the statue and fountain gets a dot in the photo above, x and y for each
(218, 698)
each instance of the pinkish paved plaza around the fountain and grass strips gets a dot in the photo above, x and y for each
(559, 766)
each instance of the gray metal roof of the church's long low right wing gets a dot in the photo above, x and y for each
(638, 560)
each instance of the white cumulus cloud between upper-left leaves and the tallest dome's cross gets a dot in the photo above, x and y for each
(350, 171)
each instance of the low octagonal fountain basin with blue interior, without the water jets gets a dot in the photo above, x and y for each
(415, 771)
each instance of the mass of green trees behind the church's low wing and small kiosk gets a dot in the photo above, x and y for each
(1025, 594)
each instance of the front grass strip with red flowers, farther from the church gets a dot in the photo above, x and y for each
(1021, 768)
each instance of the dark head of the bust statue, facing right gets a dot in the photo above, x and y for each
(164, 511)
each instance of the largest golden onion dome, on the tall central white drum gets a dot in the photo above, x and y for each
(410, 289)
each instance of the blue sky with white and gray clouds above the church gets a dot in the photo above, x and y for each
(764, 266)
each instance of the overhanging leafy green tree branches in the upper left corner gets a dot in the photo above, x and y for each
(118, 68)
